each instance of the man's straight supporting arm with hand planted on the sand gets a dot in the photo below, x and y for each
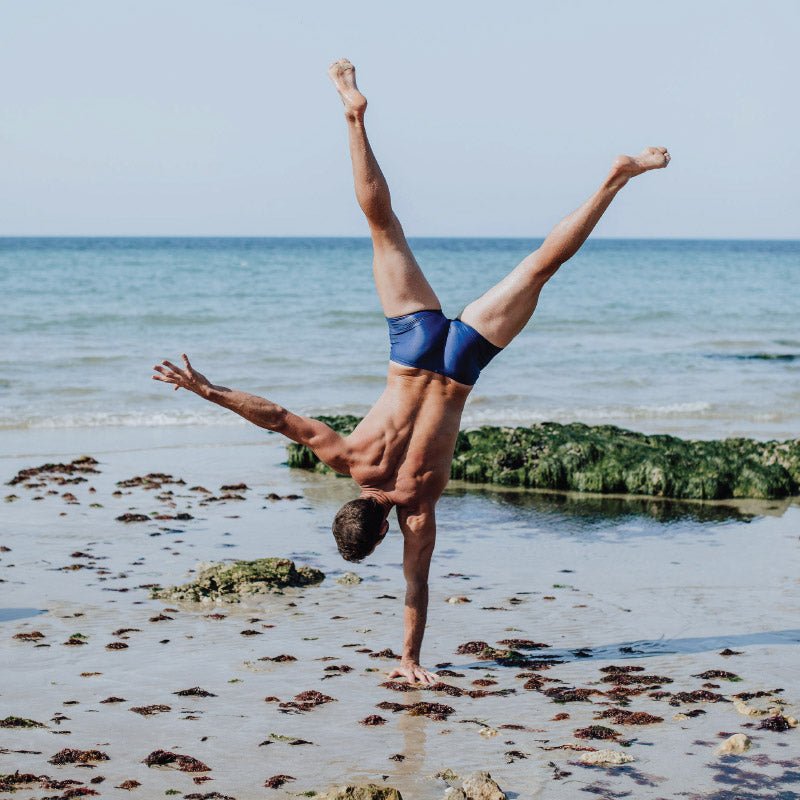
(419, 531)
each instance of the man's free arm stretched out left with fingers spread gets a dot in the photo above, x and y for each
(328, 445)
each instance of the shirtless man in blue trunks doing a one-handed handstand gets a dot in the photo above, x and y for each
(400, 453)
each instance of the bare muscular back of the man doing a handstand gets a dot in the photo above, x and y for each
(404, 446)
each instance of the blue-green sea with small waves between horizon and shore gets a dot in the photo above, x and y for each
(696, 338)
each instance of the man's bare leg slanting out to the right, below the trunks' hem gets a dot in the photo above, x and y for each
(501, 313)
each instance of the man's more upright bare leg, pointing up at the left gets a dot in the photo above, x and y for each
(401, 284)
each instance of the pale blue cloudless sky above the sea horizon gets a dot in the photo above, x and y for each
(192, 117)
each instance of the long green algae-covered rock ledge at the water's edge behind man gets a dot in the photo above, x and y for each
(605, 459)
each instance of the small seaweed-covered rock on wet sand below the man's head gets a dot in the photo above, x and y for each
(230, 582)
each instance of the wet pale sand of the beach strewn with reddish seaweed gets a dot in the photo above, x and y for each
(602, 582)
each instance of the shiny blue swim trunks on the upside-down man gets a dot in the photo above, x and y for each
(429, 340)
